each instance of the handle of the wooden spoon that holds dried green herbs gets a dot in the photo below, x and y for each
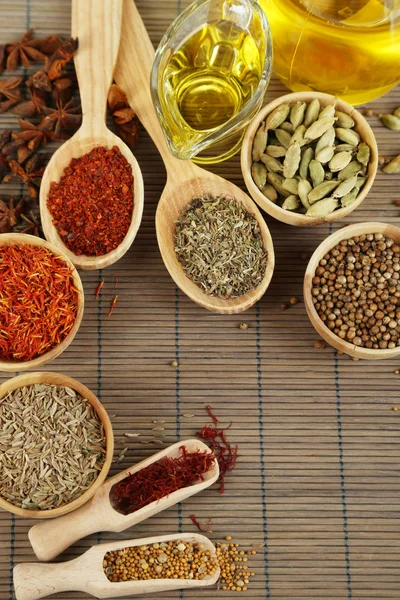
(132, 73)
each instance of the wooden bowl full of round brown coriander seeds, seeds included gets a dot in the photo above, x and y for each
(352, 290)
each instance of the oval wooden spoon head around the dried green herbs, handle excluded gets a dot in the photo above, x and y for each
(168, 213)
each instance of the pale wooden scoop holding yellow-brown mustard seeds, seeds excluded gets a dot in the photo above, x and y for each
(85, 574)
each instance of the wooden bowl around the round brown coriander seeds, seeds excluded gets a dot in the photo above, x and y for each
(321, 328)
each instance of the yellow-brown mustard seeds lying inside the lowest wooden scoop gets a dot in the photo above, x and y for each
(166, 560)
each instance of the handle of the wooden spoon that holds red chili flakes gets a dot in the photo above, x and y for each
(97, 25)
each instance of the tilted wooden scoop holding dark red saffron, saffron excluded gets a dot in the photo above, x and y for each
(50, 538)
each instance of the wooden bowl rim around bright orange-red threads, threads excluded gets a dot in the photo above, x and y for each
(15, 365)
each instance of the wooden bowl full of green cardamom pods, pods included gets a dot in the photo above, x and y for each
(309, 158)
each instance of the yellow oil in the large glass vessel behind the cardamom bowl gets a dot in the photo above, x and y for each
(349, 48)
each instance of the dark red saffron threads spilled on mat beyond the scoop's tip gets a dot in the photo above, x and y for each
(225, 453)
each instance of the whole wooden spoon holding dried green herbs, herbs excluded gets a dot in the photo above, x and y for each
(185, 180)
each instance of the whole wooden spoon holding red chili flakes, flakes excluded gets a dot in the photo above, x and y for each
(97, 24)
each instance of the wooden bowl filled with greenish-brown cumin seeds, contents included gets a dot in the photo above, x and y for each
(56, 445)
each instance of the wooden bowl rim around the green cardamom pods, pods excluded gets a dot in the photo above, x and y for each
(287, 216)
